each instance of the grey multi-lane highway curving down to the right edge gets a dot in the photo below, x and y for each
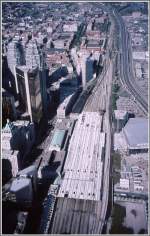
(126, 68)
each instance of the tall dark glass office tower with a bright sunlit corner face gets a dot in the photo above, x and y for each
(28, 87)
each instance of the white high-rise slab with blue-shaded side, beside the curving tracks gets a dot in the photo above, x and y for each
(86, 69)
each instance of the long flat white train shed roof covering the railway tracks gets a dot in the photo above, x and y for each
(83, 166)
